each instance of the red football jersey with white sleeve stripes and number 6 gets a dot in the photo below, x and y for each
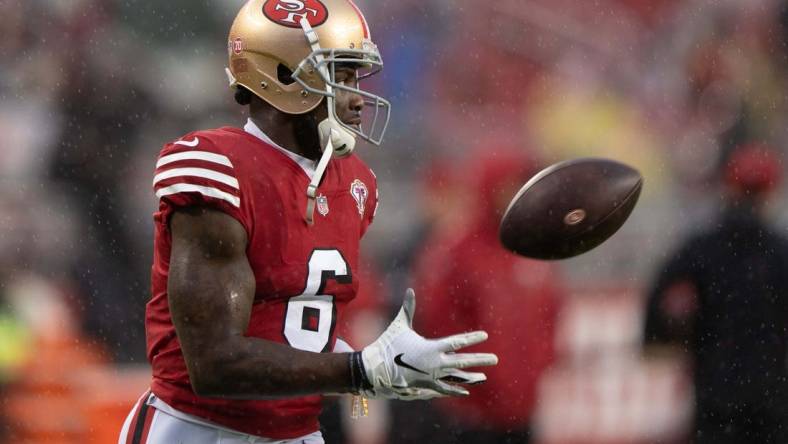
(305, 275)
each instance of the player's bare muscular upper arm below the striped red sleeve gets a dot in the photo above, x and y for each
(210, 284)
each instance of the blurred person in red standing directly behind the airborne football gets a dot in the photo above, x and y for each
(471, 283)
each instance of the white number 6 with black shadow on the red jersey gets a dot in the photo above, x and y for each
(310, 317)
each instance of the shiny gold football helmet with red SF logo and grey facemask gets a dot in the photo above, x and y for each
(285, 51)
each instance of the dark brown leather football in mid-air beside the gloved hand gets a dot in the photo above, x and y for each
(569, 208)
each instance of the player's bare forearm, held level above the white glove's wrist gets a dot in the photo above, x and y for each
(251, 368)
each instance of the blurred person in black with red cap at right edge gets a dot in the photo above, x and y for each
(723, 299)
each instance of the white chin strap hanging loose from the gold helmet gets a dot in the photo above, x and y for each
(335, 140)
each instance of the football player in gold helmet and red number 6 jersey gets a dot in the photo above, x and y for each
(257, 243)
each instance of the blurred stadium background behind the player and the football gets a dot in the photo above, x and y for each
(484, 94)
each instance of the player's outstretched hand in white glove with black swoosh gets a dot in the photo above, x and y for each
(402, 364)
